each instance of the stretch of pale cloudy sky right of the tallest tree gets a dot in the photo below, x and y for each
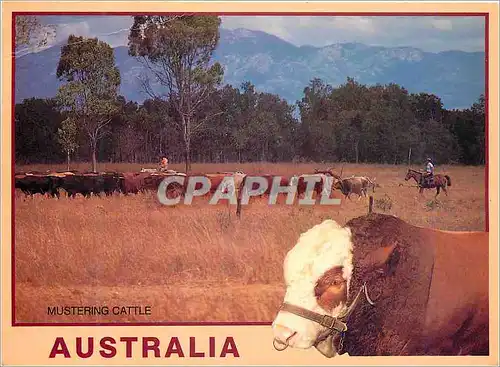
(428, 33)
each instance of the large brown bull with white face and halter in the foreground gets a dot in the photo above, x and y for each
(429, 288)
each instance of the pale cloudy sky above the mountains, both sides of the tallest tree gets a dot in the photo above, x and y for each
(432, 34)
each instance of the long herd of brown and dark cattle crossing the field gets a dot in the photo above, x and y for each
(109, 183)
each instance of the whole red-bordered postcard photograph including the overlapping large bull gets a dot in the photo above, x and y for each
(324, 175)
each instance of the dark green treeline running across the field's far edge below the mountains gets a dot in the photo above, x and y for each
(352, 123)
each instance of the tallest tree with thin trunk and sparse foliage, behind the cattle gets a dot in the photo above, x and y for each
(178, 50)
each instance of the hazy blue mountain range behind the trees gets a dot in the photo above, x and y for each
(279, 67)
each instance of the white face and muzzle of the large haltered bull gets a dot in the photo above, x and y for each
(322, 254)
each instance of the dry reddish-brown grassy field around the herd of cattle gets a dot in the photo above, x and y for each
(197, 263)
